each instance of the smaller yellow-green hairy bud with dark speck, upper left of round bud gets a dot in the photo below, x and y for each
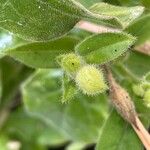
(71, 63)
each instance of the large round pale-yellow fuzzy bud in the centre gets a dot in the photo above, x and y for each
(90, 80)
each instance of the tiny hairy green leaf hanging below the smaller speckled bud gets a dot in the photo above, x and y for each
(69, 89)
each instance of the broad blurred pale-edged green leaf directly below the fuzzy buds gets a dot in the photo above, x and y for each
(42, 95)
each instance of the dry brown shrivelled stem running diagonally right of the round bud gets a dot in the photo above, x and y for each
(124, 105)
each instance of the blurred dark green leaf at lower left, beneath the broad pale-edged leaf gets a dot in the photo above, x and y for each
(30, 129)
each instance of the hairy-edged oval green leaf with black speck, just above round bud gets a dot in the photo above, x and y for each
(104, 47)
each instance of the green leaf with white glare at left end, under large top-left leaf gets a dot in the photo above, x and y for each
(35, 54)
